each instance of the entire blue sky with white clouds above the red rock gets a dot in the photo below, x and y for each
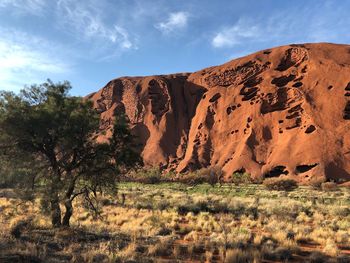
(90, 42)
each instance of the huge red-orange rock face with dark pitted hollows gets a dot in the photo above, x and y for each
(282, 111)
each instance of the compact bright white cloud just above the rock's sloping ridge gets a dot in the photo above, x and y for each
(236, 34)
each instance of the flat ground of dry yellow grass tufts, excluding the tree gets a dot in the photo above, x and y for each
(173, 222)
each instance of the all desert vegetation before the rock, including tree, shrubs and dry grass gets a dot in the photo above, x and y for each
(71, 194)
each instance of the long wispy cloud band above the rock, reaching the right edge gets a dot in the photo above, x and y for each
(308, 24)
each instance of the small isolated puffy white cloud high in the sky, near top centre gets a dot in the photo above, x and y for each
(174, 22)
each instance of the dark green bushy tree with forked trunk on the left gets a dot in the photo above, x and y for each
(59, 134)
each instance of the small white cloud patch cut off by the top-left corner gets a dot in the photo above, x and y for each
(33, 7)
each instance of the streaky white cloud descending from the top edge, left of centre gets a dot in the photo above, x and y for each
(85, 20)
